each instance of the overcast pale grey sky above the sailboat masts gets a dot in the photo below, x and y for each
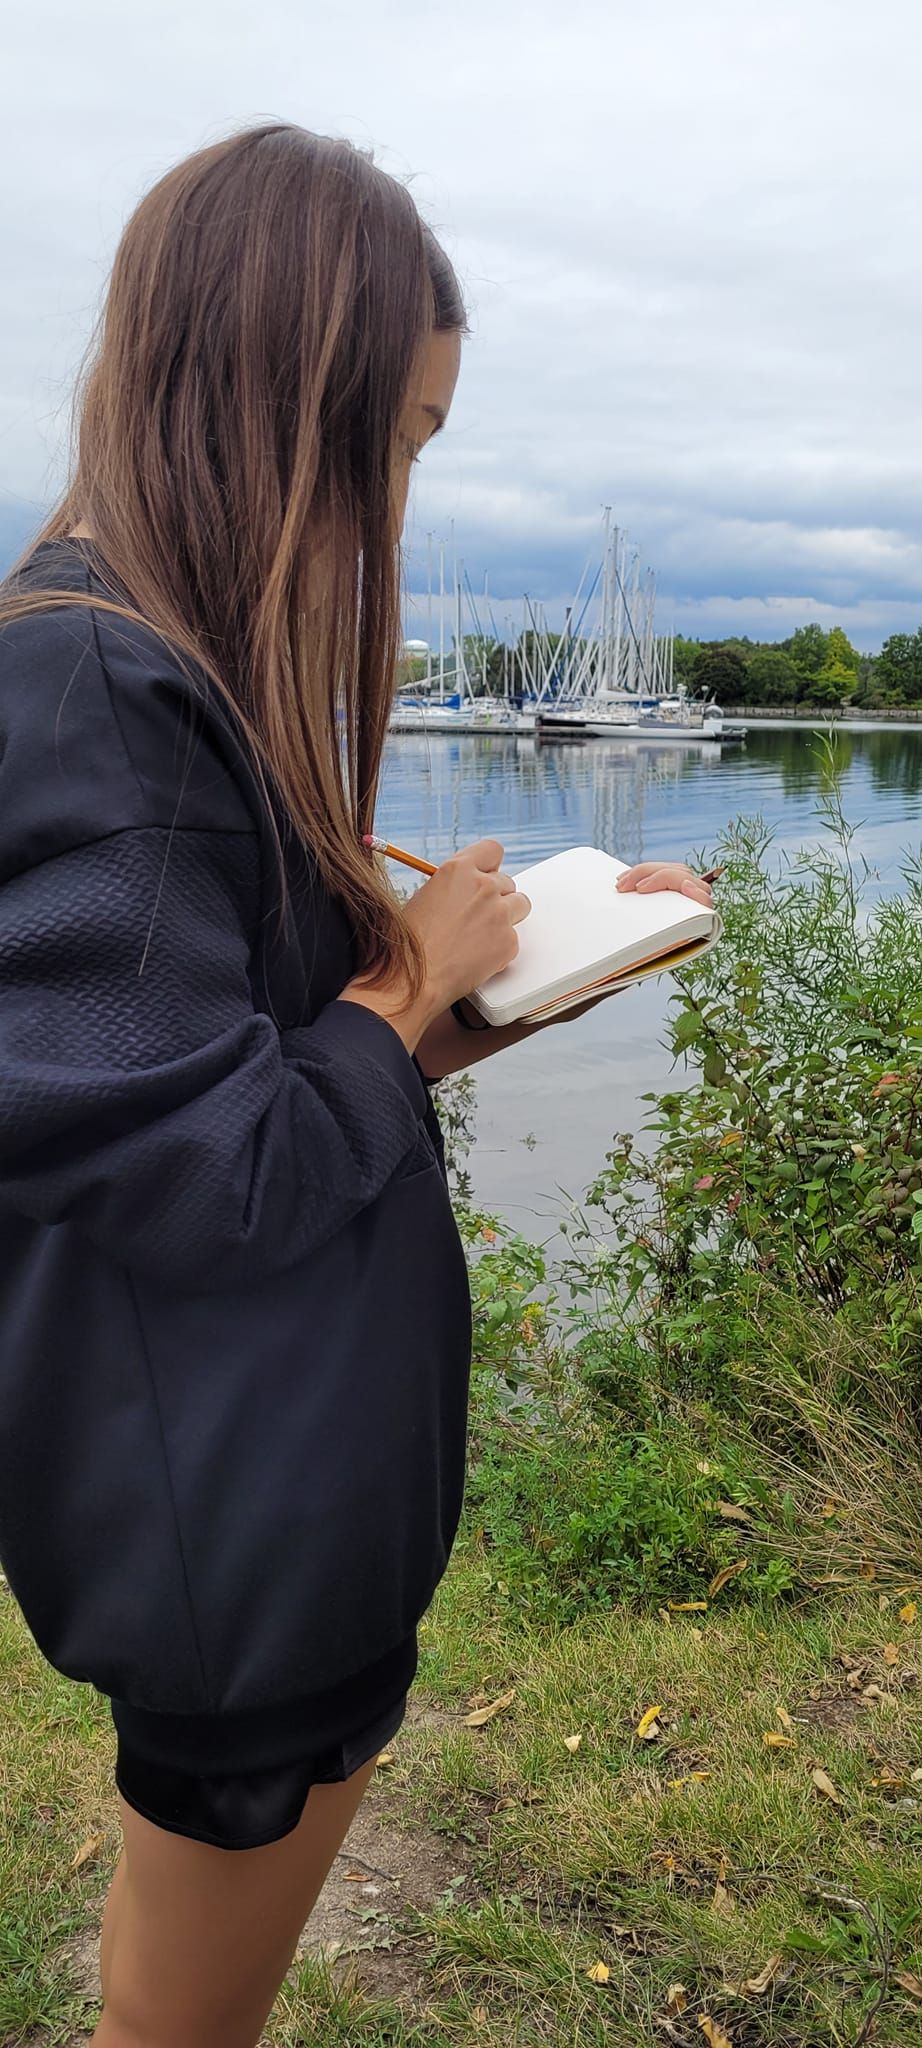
(689, 234)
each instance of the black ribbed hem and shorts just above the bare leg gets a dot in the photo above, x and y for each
(243, 1781)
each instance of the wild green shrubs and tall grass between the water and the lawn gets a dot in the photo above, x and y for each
(739, 1316)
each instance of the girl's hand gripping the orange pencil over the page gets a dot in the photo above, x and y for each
(466, 921)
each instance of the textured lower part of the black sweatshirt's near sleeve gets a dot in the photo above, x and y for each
(142, 1095)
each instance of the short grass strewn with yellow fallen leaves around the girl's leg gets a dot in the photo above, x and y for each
(591, 1857)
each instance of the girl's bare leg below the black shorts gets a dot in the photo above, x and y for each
(198, 1940)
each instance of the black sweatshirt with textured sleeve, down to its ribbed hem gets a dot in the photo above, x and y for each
(235, 1314)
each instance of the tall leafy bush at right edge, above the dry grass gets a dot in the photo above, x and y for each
(800, 1150)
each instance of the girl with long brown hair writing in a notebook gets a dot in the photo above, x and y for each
(235, 1318)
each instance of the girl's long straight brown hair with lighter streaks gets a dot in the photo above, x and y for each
(235, 464)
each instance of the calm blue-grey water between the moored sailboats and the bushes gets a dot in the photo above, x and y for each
(548, 1109)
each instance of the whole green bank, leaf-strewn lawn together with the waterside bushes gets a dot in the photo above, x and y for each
(728, 1367)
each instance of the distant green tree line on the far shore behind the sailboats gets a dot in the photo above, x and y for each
(814, 667)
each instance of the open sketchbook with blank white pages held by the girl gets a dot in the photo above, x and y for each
(585, 939)
